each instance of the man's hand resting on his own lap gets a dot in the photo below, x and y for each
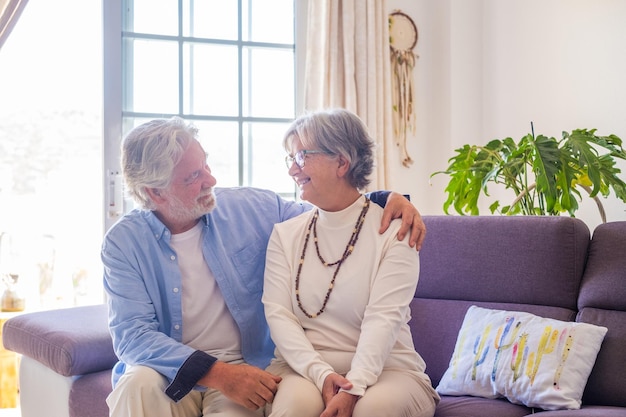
(244, 384)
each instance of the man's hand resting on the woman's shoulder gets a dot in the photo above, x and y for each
(399, 207)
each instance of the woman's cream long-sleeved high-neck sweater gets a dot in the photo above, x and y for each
(364, 326)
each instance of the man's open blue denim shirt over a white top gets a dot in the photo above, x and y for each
(143, 284)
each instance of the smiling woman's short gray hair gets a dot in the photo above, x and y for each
(336, 132)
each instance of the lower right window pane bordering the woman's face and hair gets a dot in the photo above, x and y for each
(266, 156)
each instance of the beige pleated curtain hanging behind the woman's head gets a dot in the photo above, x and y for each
(347, 65)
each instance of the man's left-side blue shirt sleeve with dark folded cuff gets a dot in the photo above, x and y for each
(141, 282)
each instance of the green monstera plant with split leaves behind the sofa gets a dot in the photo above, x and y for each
(545, 175)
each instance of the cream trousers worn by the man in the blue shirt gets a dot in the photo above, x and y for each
(141, 392)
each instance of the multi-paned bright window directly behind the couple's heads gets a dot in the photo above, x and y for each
(227, 66)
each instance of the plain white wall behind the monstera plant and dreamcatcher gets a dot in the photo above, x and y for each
(488, 68)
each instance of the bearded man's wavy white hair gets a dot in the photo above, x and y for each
(149, 154)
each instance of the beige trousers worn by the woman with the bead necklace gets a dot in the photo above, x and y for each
(397, 393)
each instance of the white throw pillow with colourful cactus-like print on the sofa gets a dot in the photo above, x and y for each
(530, 360)
